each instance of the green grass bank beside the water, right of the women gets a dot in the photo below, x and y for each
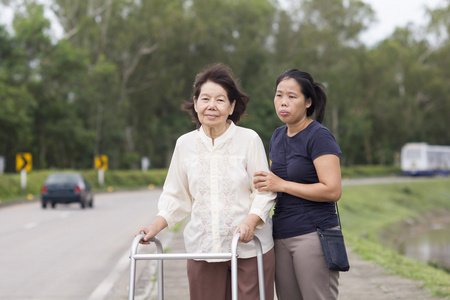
(368, 211)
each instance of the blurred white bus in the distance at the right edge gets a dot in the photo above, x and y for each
(424, 159)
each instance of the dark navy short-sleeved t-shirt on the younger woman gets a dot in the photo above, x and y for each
(292, 159)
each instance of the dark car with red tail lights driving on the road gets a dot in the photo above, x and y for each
(66, 188)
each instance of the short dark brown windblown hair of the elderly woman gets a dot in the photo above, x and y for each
(222, 75)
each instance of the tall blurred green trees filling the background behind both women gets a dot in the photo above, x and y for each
(113, 84)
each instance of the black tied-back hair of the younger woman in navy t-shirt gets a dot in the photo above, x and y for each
(310, 89)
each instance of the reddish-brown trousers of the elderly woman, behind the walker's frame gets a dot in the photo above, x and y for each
(212, 281)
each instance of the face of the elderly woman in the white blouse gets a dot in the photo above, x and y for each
(213, 106)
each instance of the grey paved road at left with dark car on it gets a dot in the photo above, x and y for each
(69, 253)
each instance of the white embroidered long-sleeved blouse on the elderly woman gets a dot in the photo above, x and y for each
(214, 185)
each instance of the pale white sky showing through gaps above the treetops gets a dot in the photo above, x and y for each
(390, 14)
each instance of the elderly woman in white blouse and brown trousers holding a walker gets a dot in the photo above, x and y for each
(210, 179)
